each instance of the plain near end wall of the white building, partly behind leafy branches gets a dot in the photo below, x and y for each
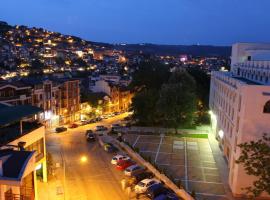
(253, 124)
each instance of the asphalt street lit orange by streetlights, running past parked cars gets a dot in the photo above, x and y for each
(93, 179)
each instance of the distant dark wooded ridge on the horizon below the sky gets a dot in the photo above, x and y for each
(194, 50)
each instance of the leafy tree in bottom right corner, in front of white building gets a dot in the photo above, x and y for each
(255, 157)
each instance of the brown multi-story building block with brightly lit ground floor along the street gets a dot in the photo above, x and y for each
(58, 97)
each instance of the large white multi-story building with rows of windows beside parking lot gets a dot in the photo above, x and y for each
(240, 106)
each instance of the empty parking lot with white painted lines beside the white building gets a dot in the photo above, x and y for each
(190, 160)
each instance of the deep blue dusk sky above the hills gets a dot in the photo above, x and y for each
(216, 22)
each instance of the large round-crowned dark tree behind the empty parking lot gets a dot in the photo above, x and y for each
(177, 101)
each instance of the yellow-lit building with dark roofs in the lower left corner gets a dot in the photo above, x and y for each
(22, 152)
